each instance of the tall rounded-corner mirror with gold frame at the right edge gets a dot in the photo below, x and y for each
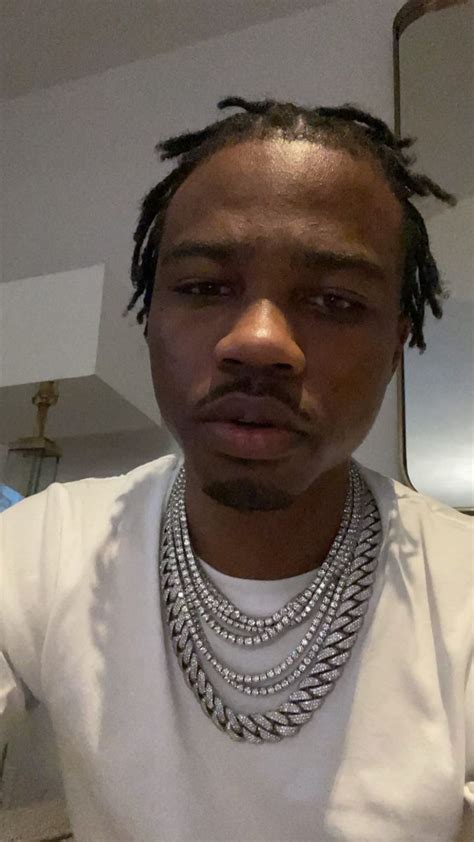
(434, 103)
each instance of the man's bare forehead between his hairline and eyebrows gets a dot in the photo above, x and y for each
(275, 191)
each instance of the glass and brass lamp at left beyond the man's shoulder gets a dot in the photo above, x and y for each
(32, 462)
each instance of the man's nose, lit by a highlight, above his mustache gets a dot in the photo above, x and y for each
(261, 338)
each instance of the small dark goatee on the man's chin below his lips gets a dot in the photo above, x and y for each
(247, 495)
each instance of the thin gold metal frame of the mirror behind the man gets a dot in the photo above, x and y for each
(410, 11)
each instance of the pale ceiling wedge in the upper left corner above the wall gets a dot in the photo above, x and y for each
(46, 42)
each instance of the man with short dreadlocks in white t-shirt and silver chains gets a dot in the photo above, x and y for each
(319, 612)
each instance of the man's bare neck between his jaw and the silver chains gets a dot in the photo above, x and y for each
(268, 545)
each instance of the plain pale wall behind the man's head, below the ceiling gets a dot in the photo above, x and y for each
(79, 156)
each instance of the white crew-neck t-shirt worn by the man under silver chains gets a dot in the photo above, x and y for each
(387, 758)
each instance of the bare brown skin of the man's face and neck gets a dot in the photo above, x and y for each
(323, 335)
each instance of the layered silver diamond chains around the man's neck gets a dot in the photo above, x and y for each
(335, 601)
